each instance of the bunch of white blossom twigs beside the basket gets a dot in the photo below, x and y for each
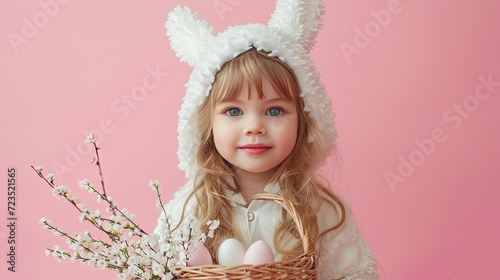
(142, 256)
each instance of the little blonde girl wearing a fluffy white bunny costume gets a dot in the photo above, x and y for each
(256, 119)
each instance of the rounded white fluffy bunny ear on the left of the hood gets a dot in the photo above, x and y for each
(187, 34)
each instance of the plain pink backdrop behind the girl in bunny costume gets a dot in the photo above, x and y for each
(404, 85)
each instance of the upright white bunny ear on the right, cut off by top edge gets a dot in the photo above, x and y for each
(299, 18)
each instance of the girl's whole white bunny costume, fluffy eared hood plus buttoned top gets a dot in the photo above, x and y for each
(289, 35)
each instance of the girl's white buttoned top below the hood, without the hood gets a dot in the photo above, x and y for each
(342, 254)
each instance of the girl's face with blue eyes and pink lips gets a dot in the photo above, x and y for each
(255, 134)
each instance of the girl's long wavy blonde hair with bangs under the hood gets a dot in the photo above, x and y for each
(297, 171)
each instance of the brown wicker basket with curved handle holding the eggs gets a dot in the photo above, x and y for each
(303, 267)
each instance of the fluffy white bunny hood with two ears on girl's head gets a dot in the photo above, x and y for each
(289, 35)
